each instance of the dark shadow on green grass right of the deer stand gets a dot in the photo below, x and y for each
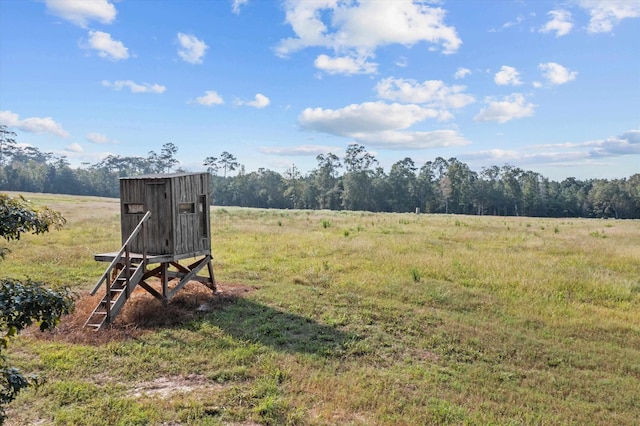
(253, 322)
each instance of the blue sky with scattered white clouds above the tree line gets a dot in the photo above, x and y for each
(548, 86)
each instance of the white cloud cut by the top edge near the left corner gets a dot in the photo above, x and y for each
(81, 12)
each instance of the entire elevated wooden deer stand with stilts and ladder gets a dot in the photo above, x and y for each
(164, 219)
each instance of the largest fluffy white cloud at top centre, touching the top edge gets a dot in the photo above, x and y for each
(357, 29)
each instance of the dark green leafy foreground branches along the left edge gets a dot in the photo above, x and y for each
(22, 304)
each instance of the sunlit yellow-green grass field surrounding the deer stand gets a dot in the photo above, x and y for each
(356, 318)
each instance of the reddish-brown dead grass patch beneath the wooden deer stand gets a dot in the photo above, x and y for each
(141, 314)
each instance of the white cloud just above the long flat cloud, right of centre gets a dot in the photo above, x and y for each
(432, 93)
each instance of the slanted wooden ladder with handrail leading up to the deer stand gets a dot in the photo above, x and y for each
(128, 272)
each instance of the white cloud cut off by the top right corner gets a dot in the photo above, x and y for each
(605, 14)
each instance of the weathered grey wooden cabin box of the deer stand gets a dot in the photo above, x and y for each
(179, 205)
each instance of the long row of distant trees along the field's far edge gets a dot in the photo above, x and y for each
(354, 182)
